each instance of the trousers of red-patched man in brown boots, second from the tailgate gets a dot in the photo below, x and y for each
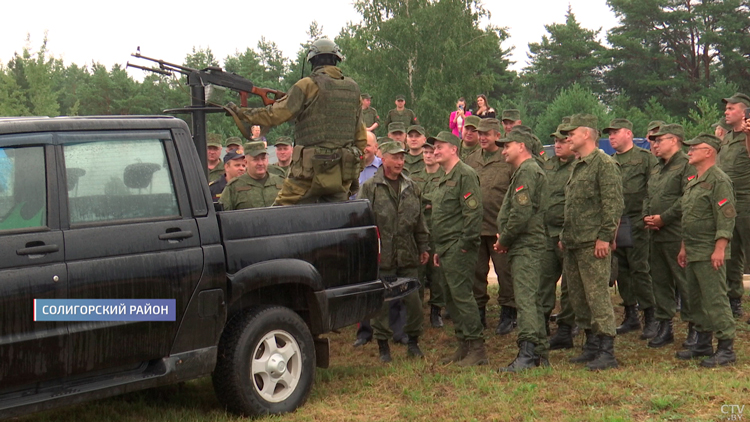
(457, 268)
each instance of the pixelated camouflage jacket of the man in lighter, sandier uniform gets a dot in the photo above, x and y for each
(593, 201)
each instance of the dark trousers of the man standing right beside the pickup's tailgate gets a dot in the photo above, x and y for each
(412, 302)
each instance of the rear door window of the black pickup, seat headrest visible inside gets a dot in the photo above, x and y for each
(118, 180)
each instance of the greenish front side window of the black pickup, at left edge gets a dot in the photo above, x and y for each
(23, 191)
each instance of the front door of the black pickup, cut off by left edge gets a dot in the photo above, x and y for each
(31, 263)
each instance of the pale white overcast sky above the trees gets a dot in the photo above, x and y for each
(86, 31)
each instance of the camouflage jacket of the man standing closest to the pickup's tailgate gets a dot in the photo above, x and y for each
(398, 215)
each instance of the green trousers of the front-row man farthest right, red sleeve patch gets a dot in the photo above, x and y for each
(709, 300)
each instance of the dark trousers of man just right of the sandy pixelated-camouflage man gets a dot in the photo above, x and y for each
(633, 277)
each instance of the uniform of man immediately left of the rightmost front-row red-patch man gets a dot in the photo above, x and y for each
(665, 188)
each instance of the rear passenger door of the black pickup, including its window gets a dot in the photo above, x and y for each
(128, 235)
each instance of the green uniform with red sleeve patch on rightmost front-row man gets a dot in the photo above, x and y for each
(708, 212)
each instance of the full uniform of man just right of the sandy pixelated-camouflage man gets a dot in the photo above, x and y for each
(633, 278)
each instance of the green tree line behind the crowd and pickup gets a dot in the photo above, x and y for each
(669, 60)
